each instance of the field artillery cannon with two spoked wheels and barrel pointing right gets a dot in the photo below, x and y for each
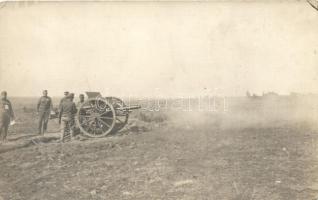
(99, 116)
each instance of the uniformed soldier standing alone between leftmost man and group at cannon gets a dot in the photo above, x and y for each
(44, 108)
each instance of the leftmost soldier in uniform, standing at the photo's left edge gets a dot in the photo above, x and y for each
(6, 114)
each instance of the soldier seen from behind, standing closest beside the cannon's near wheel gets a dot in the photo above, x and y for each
(67, 115)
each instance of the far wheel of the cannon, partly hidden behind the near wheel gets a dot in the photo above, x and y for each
(121, 115)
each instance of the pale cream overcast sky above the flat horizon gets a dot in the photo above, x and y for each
(162, 48)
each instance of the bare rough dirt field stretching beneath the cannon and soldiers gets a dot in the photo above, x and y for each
(256, 150)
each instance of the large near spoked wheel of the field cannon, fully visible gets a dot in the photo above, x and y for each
(96, 117)
